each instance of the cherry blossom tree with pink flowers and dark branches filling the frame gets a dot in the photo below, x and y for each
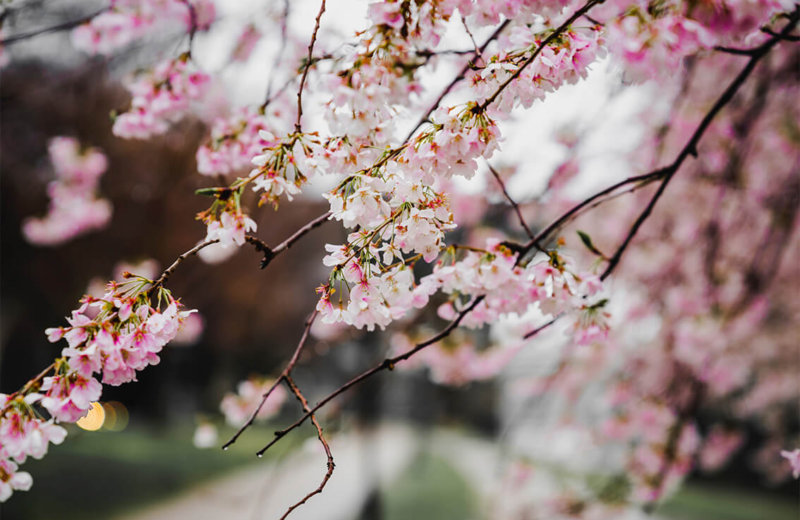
(657, 283)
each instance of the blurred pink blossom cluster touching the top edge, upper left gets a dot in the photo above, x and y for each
(129, 20)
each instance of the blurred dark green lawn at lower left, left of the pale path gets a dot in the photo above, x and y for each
(95, 475)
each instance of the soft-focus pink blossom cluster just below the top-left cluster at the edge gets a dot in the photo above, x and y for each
(161, 97)
